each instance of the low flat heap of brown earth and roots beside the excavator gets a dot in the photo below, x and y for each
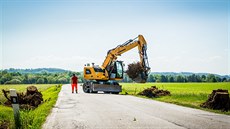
(153, 91)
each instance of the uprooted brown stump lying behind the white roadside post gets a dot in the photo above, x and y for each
(30, 100)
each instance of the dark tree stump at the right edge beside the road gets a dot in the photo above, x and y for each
(218, 99)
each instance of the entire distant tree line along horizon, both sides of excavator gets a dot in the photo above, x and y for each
(60, 76)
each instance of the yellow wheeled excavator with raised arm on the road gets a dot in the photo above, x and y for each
(104, 78)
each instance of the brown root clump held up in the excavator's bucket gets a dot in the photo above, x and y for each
(135, 72)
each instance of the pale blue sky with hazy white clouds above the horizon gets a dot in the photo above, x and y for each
(181, 35)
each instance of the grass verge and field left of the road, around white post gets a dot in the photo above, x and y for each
(32, 119)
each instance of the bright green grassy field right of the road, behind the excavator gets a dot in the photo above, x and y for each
(186, 94)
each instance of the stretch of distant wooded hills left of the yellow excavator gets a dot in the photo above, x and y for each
(37, 76)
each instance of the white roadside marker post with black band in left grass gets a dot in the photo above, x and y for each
(15, 105)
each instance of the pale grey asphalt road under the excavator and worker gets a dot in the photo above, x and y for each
(107, 111)
